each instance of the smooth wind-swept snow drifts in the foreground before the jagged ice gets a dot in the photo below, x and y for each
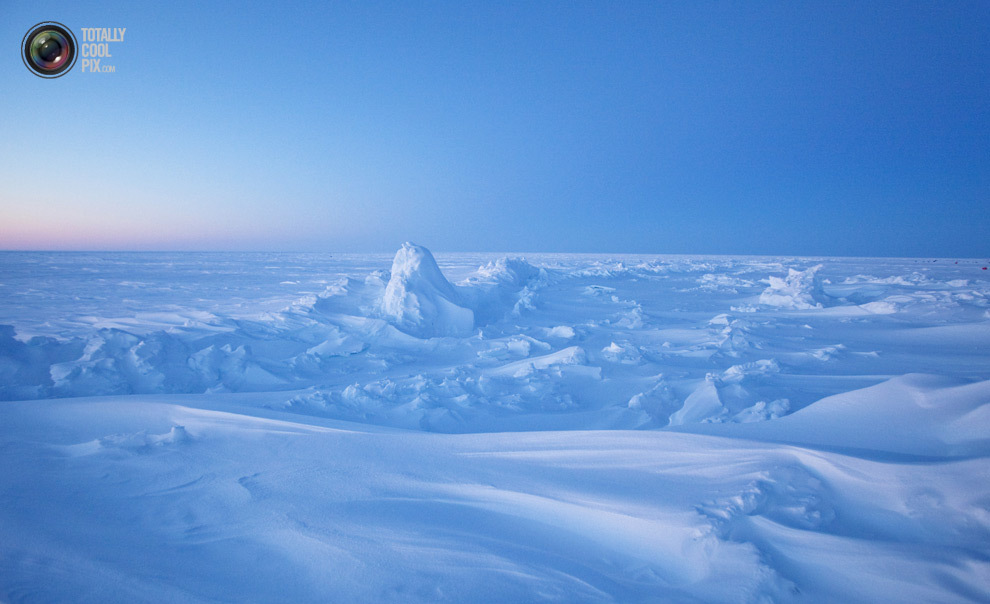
(189, 504)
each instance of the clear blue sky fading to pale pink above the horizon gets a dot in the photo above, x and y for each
(839, 128)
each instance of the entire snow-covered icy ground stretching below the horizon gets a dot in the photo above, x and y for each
(491, 427)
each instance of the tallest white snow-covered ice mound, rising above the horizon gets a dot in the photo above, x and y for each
(420, 301)
